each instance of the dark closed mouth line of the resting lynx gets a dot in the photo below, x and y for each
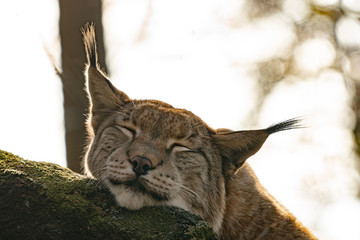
(137, 187)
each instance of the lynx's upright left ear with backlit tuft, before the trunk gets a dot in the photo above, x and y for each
(103, 96)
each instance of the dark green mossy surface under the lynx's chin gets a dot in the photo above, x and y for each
(45, 201)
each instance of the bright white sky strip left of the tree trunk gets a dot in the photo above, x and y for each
(31, 122)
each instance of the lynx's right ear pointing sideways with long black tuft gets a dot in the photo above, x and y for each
(236, 147)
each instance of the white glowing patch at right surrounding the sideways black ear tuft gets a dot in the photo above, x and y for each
(315, 168)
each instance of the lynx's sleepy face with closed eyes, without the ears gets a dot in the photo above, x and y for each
(149, 153)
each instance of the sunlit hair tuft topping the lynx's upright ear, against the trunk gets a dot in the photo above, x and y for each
(88, 32)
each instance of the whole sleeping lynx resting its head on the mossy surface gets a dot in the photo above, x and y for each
(149, 153)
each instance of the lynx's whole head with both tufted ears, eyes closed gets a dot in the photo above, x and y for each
(150, 153)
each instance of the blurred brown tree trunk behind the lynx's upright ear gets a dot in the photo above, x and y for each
(73, 16)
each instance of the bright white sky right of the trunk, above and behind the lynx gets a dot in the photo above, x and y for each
(204, 63)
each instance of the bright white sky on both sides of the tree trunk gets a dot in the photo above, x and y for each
(191, 58)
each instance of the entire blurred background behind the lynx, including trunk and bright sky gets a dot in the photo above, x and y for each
(236, 64)
